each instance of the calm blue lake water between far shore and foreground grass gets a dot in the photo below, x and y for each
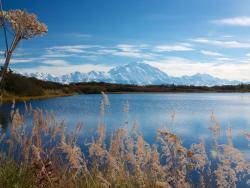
(188, 115)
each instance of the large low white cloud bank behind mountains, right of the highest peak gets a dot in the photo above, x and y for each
(176, 66)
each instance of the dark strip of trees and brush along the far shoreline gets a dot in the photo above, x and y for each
(23, 88)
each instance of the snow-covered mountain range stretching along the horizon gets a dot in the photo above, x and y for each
(134, 73)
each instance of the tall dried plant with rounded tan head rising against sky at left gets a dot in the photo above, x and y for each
(22, 25)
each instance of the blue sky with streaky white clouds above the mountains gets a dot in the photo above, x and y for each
(179, 37)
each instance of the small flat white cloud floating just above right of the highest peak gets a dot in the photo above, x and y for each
(171, 48)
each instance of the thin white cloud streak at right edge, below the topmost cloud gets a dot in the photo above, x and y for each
(223, 43)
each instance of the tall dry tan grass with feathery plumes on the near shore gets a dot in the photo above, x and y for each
(43, 155)
